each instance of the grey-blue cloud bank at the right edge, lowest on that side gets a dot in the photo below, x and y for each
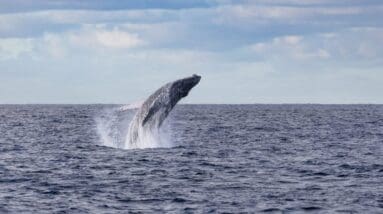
(347, 45)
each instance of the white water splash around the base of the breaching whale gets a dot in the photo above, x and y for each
(113, 125)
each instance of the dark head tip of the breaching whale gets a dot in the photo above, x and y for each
(181, 88)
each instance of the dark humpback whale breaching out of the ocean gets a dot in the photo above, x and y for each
(156, 108)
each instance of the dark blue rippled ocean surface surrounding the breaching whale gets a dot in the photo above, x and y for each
(220, 159)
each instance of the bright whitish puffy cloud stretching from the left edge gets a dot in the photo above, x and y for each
(88, 39)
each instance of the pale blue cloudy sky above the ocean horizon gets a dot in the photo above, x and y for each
(247, 51)
